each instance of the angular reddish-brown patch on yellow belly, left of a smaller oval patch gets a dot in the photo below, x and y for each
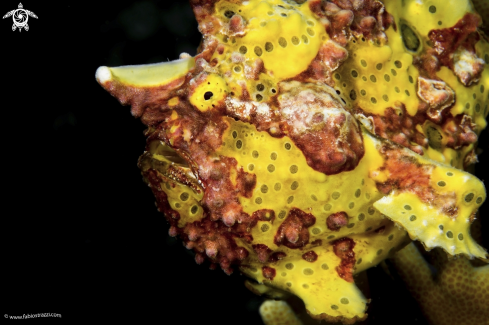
(293, 232)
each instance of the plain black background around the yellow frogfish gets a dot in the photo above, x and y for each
(81, 236)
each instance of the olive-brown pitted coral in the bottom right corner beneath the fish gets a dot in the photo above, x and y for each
(457, 294)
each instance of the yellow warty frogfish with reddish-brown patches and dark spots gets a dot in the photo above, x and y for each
(310, 140)
